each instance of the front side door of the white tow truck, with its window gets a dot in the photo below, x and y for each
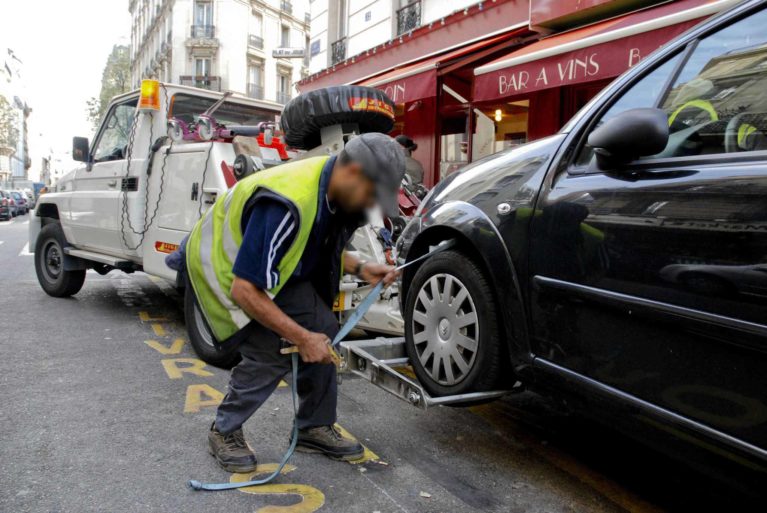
(95, 199)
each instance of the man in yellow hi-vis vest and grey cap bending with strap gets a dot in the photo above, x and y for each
(265, 265)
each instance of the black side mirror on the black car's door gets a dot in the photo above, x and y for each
(629, 135)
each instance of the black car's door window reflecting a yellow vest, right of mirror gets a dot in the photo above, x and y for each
(718, 103)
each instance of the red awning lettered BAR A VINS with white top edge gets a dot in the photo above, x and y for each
(599, 51)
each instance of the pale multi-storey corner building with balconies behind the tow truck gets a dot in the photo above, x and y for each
(223, 45)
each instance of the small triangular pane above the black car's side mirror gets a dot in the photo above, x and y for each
(644, 93)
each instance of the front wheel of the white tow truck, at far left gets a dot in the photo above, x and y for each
(49, 264)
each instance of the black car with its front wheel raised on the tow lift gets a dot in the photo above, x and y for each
(620, 264)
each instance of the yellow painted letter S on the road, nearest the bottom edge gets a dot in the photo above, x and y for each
(311, 498)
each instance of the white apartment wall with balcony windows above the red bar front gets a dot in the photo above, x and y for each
(344, 28)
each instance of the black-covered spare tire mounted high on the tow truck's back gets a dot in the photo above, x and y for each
(305, 115)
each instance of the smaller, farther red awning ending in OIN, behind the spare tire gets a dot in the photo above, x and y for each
(418, 80)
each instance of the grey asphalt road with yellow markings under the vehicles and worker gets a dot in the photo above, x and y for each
(105, 408)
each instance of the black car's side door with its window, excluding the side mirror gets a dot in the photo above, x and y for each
(652, 278)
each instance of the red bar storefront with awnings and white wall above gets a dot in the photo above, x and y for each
(471, 79)
